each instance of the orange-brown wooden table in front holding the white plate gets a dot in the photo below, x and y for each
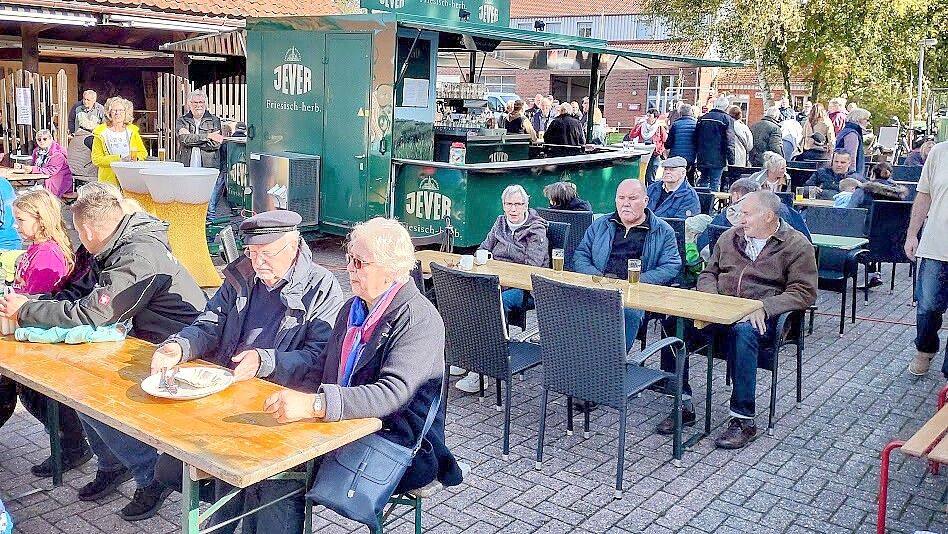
(226, 435)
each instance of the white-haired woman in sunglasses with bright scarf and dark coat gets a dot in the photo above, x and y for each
(384, 357)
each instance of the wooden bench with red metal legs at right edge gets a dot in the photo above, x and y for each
(930, 443)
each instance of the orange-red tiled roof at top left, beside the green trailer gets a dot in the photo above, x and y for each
(207, 8)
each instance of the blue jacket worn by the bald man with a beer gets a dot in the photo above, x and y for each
(661, 263)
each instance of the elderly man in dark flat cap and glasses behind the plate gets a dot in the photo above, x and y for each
(275, 303)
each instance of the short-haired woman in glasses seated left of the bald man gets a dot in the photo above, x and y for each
(518, 236)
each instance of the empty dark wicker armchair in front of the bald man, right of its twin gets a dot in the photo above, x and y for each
(583, 345)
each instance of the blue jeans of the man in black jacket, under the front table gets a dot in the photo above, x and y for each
(115, 450)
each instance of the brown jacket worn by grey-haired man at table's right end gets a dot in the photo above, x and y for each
(783, 277)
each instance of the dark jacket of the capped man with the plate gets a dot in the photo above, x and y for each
(313, 298)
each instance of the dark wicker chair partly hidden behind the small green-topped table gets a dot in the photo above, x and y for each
(837, 267)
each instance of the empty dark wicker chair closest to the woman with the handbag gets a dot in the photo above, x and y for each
(475, 333)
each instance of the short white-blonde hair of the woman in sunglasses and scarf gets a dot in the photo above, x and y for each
(389, 243)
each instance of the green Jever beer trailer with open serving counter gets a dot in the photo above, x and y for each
(358, 94)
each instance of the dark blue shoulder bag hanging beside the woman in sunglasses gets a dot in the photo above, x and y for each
(357, 480)
